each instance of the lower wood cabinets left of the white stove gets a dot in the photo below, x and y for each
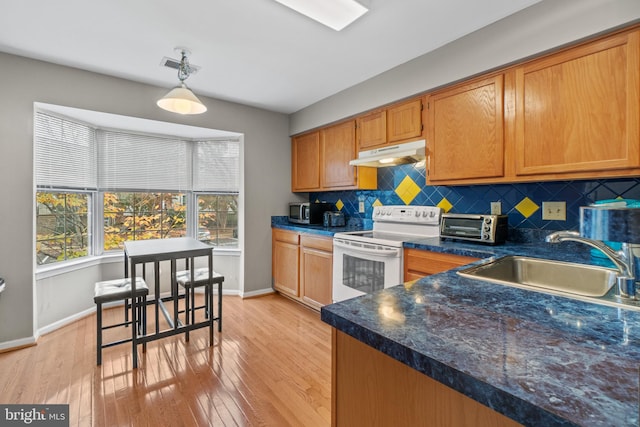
(302, 266)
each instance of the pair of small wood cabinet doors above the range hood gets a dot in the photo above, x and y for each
(396, 123)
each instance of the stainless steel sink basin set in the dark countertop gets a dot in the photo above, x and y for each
(541, 274)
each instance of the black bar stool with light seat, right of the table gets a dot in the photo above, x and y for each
(200, 279)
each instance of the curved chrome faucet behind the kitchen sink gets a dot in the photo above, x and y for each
(623, 259)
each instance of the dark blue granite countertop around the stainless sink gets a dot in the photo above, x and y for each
(540, 359)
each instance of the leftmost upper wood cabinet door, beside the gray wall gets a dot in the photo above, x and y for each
(305, 162)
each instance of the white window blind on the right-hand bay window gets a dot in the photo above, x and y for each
(216, 166)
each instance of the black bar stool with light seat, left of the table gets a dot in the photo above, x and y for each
(120, 290)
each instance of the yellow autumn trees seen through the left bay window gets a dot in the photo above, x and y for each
(62, 231)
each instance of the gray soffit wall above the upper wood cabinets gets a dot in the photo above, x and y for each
(543, 26)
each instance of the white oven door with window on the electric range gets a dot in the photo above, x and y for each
(360, 268)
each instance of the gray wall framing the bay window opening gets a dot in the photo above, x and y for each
(267, 180)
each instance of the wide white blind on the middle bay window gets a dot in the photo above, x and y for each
(142, 162)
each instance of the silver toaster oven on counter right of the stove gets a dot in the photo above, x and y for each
(482, 228)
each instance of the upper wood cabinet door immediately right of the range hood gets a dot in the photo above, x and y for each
(465, 131)
